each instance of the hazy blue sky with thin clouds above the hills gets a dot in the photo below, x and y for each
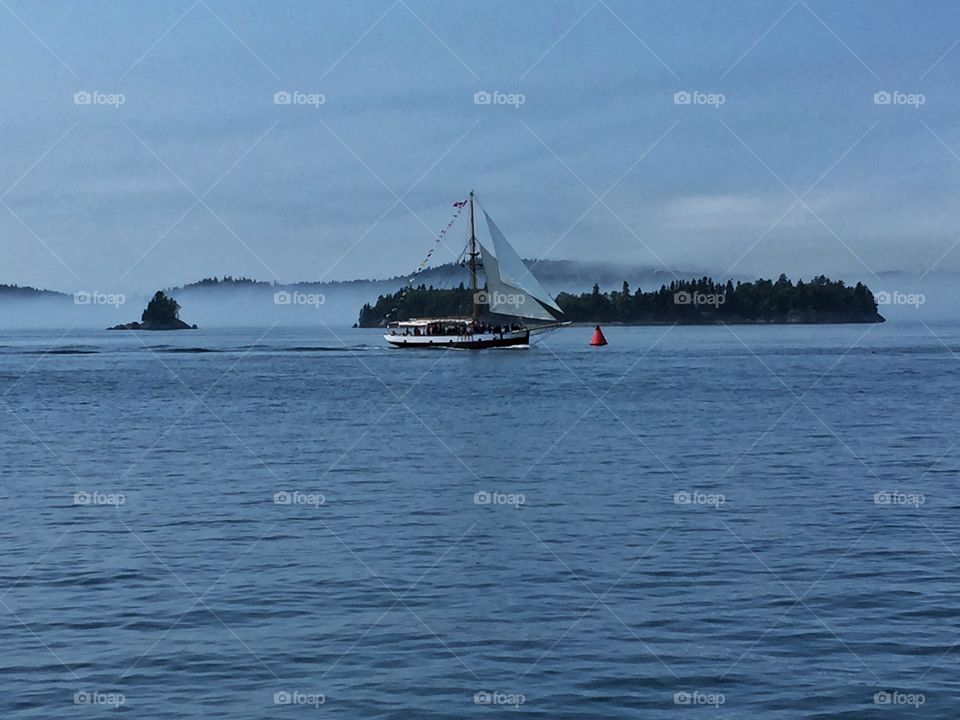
(145, 145)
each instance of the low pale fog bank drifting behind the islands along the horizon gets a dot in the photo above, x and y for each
(902, 297)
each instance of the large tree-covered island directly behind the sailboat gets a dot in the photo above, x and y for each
(700, 301)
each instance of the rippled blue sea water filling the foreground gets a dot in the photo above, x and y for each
(687, 516)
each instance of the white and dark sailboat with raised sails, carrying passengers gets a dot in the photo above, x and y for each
(511, 307)
